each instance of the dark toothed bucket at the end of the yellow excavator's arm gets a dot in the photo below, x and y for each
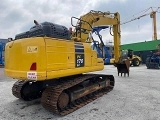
(123, 67)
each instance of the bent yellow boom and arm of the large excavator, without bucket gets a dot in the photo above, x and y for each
(86, 23)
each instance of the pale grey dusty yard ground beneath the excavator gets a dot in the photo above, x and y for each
(136, 97)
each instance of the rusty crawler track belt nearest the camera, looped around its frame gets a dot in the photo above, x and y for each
(51, 94)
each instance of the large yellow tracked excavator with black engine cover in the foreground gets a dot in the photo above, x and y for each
(52, 62)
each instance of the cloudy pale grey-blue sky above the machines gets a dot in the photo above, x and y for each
(17, 16)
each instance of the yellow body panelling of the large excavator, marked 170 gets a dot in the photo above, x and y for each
(43, 58)
